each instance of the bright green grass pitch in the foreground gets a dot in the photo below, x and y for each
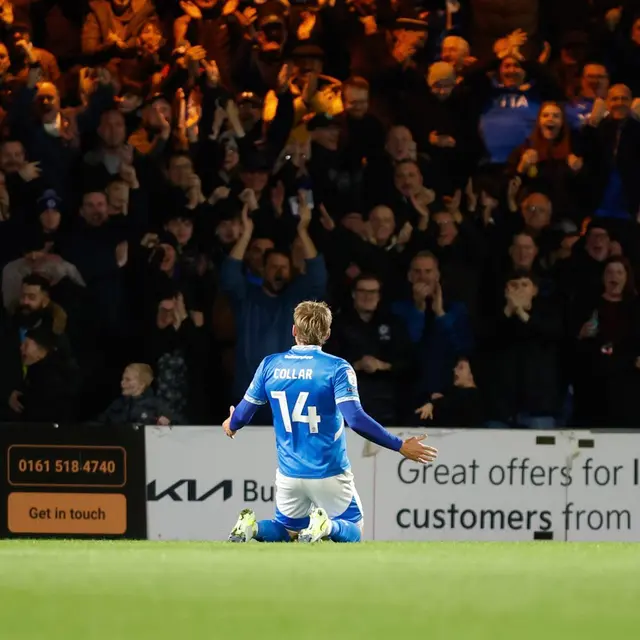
(53, 590)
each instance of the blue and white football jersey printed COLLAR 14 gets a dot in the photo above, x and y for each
(305, 386)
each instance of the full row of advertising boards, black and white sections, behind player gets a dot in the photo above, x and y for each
(189, 483)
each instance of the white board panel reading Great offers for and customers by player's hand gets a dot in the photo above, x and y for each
(485, 485)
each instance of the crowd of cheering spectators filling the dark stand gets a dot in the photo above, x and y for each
(459, 179)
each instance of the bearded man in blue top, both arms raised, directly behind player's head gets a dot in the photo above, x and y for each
(263, 312)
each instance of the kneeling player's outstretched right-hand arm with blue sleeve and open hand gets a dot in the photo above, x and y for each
(348, 401)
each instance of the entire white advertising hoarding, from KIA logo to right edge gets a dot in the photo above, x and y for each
(486, 484)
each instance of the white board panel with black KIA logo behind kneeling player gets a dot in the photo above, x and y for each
(198, 480)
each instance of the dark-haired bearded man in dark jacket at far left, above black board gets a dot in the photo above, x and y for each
(35, 310)
